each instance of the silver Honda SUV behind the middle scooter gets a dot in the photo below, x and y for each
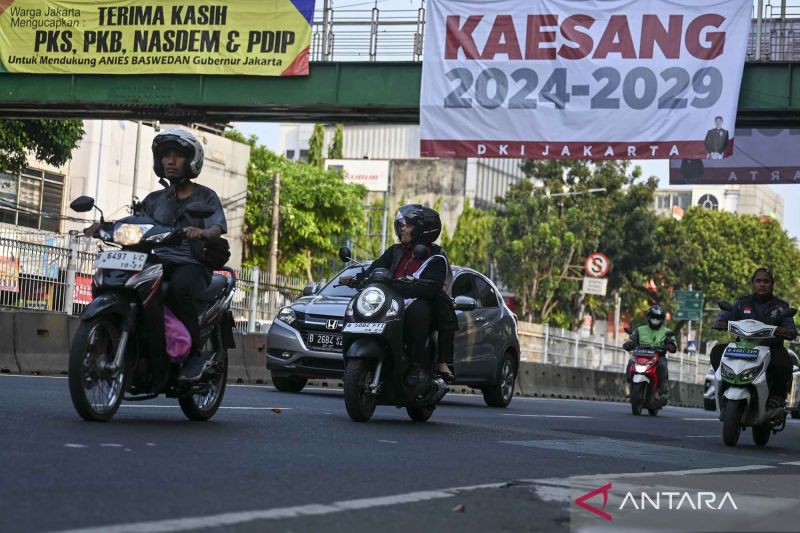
(305, 339)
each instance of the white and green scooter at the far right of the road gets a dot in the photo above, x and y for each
(741, 382)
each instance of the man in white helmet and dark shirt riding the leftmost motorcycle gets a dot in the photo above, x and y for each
(177, 160)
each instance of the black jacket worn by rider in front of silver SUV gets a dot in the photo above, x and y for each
(436, 272)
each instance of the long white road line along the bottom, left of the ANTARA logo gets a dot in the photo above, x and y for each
(227, 520)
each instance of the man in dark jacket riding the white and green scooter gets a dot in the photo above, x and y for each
(762, 305)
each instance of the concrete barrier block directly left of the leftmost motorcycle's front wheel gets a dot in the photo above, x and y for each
(41, 342)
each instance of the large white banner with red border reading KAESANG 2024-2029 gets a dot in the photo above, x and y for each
(598, 79)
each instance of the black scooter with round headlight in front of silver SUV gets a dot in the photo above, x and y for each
(376, 362)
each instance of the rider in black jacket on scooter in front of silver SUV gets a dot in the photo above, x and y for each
(427, 297)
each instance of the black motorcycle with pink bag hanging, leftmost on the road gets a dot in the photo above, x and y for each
(119, 349)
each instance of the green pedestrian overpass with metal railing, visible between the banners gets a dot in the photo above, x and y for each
(366, 68)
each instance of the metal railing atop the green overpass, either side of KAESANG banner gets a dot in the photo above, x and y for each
(398, 34)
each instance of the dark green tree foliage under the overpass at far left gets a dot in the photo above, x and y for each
(51, 141)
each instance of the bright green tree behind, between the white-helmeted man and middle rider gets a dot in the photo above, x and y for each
(318, 212)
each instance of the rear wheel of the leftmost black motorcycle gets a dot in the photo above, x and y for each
(202, 406)
